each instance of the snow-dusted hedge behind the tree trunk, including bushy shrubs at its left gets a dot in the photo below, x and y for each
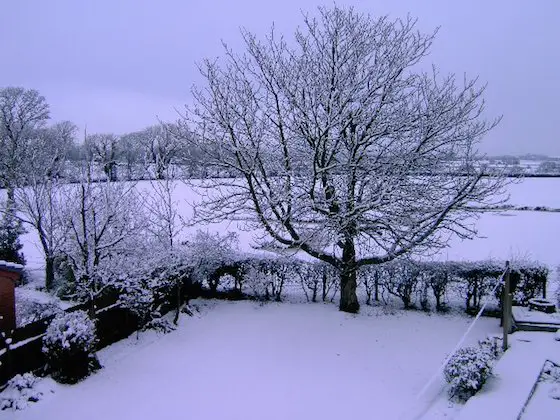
(211, 262)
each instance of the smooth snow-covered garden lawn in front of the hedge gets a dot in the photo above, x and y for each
(242, 360)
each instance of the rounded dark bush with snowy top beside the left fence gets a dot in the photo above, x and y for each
(69, 345)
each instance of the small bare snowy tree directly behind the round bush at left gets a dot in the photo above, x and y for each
(106, 221)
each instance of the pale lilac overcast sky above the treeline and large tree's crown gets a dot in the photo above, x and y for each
(117, 65)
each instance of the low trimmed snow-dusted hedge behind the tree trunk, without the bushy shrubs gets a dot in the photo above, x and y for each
(413, 282)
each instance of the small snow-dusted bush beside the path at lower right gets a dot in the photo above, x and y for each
(468, 370)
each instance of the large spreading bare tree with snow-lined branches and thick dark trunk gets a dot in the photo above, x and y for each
(343, 146)
